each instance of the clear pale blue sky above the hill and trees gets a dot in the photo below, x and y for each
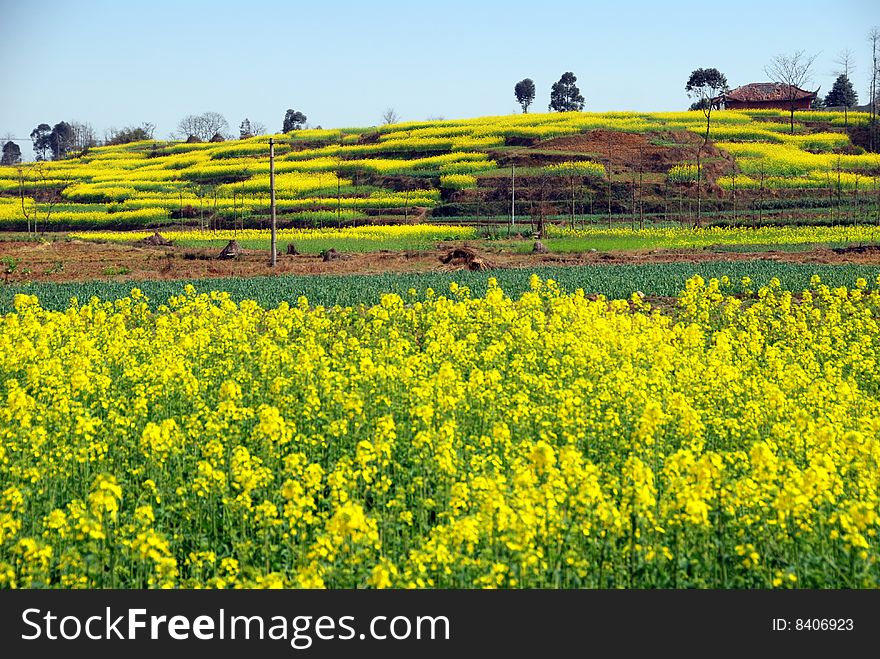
(343, 63)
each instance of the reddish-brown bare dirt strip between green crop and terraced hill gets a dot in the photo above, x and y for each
(84, 261)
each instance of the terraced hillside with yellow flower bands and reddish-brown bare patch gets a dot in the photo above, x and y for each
(619, 162)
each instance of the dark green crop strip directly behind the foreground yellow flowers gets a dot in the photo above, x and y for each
(613, 281)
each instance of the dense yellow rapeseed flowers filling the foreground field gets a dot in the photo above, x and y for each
(444, 440)
